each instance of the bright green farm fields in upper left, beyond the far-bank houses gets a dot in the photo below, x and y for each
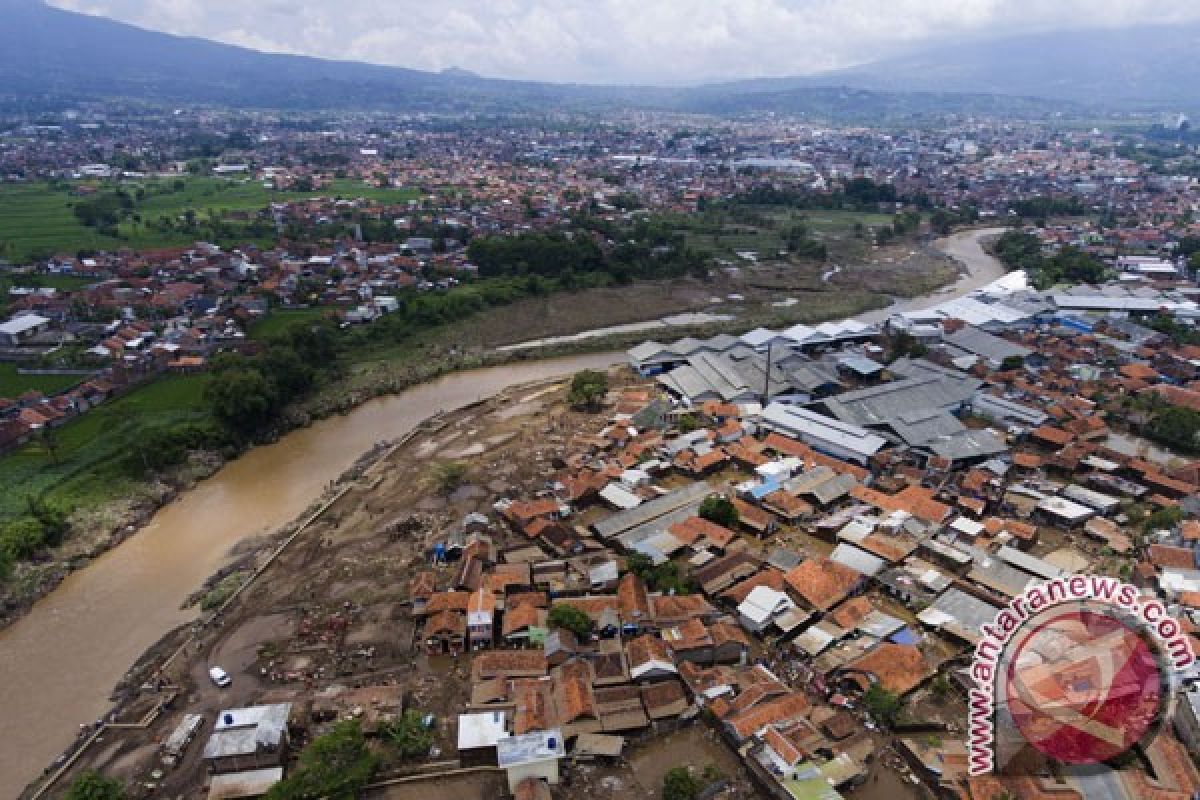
(37, 220)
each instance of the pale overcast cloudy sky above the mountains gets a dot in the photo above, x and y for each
(620, 41)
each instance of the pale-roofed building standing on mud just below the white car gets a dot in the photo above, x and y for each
(249, 739)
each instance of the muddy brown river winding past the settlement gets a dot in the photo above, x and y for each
(59, 664)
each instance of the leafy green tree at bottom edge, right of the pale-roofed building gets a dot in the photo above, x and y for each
(337, 766)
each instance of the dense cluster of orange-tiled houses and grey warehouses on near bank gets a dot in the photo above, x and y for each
(886, 510)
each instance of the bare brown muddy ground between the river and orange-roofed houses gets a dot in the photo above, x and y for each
(332, 610)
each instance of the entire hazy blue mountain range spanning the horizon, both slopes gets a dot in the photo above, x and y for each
(53, 58)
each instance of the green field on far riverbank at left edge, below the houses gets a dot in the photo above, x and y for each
(86, 466)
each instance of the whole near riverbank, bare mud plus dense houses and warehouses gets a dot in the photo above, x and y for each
(766, 558)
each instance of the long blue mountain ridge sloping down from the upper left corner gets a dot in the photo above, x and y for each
(51, 58)
